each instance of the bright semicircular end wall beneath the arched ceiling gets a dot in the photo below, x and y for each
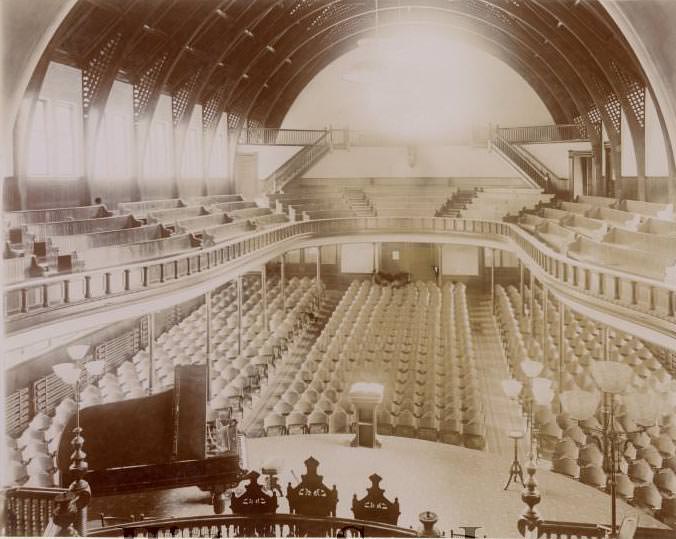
(430, 86)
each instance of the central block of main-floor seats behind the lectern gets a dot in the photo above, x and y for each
(426, 367)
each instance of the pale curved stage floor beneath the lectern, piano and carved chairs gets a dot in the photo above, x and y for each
(463, 486)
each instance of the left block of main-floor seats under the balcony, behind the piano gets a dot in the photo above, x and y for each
(235, 377)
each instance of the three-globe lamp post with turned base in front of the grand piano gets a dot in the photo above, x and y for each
(70, 373)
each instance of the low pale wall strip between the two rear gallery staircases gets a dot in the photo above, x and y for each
(393, 162)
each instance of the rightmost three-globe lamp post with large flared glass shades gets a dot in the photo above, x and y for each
(613, 379)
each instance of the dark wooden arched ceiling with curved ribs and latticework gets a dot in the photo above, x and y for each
(251, 58)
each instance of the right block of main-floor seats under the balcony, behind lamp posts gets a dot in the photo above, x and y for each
(649, 457)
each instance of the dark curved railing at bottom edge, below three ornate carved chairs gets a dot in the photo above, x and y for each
(265, 525)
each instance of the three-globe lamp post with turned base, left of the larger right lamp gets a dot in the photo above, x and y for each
(538, 391)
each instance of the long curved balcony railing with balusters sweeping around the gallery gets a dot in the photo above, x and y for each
(41, 295)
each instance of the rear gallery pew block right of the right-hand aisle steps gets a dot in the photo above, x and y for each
(496, 203)
